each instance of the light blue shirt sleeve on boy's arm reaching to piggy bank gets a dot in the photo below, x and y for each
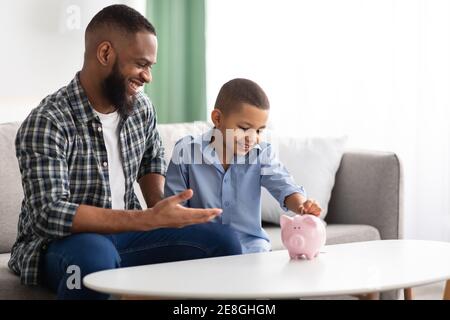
(276, 179)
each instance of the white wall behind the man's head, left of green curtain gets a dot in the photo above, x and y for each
(42, 48)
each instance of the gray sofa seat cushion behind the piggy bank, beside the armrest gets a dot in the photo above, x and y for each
(336, 233)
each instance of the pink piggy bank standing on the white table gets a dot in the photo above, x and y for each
(302, 235)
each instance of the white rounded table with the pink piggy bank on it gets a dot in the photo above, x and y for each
(352, 268)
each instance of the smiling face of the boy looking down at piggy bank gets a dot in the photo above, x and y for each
(244, 127)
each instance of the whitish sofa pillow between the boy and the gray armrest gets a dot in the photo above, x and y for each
(312, 162)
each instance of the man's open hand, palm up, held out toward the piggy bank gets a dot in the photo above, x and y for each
(168, 213)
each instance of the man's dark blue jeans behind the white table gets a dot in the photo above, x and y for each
(92, 252)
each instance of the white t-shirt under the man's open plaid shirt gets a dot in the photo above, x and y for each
(110, 128)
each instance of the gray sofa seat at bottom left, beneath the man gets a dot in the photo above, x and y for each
(11, 289)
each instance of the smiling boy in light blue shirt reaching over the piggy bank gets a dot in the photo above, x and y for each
(226, 166)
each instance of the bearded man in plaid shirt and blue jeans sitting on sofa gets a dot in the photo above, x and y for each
(80, 152)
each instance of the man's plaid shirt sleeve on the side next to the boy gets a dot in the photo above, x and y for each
(153, 159)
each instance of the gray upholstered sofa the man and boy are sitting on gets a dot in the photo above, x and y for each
(365, 205)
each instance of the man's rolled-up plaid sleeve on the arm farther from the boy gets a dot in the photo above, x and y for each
(41, 153)
